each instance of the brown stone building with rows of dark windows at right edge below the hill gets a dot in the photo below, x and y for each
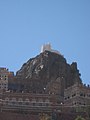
(78, 94)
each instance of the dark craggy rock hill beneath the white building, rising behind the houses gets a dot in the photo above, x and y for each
(47, 73)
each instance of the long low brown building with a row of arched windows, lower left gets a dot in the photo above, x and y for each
(27, 100)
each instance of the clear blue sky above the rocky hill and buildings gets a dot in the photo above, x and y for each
(27, 24)
